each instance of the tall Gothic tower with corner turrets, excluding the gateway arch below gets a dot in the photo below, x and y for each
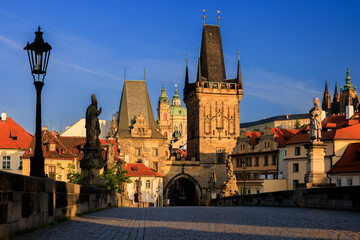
(212, 103)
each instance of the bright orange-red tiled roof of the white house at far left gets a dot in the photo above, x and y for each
(12, 135)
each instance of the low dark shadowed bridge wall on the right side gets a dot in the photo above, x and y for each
(345, 198)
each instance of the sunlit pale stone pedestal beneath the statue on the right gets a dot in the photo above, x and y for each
(315, 166)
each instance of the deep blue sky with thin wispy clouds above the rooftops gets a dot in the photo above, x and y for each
(288, 50)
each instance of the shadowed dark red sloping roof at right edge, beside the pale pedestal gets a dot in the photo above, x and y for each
(350, 160)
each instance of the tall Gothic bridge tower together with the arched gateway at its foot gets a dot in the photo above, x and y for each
(213, 126)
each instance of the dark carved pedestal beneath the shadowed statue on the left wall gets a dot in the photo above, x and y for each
(91, 164)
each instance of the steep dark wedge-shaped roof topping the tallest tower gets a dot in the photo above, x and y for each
(211, 56)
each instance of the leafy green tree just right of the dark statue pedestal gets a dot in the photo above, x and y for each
(115, 178)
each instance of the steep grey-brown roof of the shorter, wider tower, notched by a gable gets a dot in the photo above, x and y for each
(135, 100)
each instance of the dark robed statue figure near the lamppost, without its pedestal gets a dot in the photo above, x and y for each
(92, 124)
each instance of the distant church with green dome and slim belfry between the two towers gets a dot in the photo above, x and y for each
(172, 119)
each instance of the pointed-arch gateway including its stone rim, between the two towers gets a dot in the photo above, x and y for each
(183, 190)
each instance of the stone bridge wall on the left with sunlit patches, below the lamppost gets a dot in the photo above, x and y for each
(30, 202)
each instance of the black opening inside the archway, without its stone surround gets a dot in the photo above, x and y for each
(183, 193)
